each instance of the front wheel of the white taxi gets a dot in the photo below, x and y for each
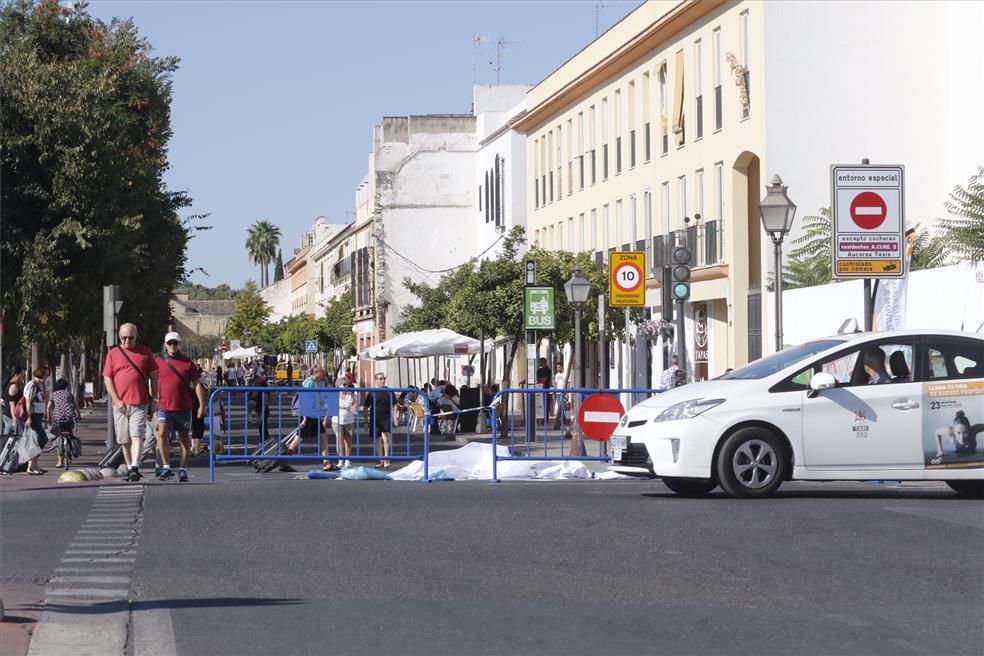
(751, 463)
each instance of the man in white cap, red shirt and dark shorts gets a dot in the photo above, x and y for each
(178, 376)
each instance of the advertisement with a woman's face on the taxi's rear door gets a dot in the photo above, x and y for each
(953, 423)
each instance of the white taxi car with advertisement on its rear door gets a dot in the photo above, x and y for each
(903, 405)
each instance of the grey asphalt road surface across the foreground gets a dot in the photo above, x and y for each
(273, 565)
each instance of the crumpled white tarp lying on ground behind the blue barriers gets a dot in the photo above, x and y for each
(474, 462)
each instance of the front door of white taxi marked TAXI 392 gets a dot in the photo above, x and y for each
(858, 425)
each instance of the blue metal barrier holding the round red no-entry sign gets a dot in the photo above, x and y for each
(542, 426)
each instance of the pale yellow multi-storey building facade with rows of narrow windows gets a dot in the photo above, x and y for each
(653, 135)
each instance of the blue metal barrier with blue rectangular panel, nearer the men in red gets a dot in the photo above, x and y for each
(248, 438)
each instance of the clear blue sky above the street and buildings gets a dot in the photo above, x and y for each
(274, 102)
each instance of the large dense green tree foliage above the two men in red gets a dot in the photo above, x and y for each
(86, 122)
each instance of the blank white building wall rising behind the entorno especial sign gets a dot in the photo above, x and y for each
(896, 82)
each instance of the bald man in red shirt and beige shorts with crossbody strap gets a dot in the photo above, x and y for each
(127, 371)
